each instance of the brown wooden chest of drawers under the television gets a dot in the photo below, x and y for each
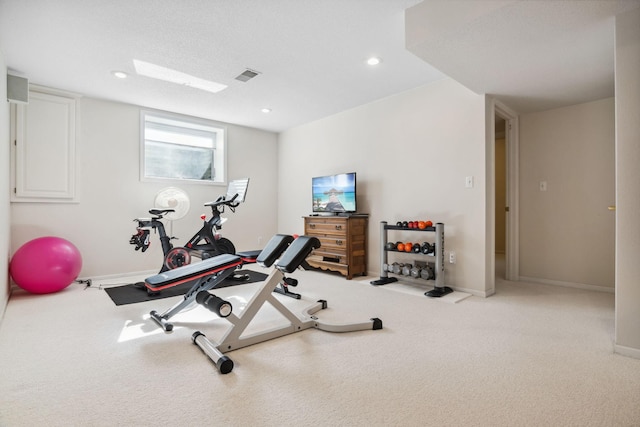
(343, 243)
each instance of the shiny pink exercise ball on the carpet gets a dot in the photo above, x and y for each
(45, 265)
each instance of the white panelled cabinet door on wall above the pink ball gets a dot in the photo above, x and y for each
(45, 149)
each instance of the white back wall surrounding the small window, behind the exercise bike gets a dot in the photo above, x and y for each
(111, 194)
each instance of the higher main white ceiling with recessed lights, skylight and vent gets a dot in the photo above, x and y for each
(310, 53)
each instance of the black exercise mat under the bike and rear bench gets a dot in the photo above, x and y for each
(131, 294)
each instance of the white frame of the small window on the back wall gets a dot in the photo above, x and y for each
(219, 159)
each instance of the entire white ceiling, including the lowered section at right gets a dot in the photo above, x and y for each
(310, 54)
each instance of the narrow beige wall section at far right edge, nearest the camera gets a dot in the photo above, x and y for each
(627, 78)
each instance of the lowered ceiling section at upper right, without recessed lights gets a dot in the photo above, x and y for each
(532, 55)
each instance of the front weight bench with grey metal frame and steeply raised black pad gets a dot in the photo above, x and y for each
(233, 338)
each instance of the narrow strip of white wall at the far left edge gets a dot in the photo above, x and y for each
(4, 194)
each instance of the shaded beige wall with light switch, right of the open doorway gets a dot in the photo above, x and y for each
(567, 234)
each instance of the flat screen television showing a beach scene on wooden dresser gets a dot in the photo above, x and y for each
(334, 193)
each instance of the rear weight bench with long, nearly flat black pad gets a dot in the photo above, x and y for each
(208, 274)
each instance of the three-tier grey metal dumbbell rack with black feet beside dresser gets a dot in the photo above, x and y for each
(439, 289)
